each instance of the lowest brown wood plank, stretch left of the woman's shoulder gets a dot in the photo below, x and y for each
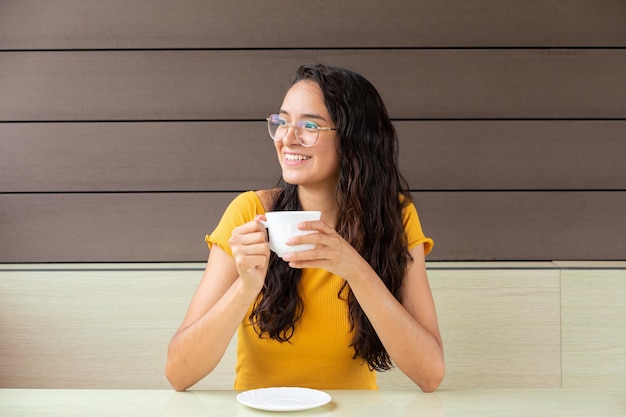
(108, 227)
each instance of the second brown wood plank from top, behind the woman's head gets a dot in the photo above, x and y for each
(235, 85)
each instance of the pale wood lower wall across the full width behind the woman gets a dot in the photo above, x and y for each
(504, 324)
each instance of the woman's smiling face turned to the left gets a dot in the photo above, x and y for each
(317, 165)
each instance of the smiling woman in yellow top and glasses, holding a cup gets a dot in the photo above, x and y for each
(360, 301)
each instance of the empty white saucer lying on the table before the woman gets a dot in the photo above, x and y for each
(283, 398)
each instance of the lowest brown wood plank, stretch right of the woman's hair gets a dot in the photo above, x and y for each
(525, 225)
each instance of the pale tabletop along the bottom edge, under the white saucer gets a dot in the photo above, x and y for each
(448, 403)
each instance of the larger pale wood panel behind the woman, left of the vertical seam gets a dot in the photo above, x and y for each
(98, 328)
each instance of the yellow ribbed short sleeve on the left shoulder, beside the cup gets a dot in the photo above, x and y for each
(240, 211)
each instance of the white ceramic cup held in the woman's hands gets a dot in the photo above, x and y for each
(284, 224)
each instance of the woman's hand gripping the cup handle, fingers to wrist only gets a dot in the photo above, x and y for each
(251, 252)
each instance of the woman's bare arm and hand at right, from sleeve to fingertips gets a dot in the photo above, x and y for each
(408, 329)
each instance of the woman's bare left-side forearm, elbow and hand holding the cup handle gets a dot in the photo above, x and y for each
(229, 285)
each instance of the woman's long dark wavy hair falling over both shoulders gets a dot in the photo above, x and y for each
(371, 193)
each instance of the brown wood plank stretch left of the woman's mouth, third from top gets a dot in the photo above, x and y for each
(136, 157)
